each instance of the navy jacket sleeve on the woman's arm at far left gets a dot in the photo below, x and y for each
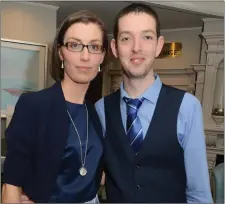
(19, 140)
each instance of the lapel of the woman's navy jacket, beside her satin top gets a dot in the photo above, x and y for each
(57, 129)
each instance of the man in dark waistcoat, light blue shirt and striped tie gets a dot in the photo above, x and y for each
(155, 145)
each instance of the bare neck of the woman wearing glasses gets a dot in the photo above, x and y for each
(74, 92)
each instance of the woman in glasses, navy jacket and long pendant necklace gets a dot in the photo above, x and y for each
(54, 139)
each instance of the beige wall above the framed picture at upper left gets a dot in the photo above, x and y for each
(29, 22)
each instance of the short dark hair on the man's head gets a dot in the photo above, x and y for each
(136, 8)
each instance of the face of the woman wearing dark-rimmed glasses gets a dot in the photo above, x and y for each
(82, 66)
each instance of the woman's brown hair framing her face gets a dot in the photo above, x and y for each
(83, 16)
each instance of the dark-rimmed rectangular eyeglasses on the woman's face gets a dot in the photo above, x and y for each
(78, 47)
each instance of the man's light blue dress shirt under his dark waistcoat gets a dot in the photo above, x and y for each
(190, 133)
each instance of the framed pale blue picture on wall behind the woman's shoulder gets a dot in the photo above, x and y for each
(23, 69)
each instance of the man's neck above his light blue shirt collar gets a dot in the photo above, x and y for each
(136, 87)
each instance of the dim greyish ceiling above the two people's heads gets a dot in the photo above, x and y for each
(170, 18)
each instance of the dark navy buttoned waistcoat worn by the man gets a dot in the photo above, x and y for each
(157, 173)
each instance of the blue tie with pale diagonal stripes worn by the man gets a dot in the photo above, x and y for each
(134, 128)
